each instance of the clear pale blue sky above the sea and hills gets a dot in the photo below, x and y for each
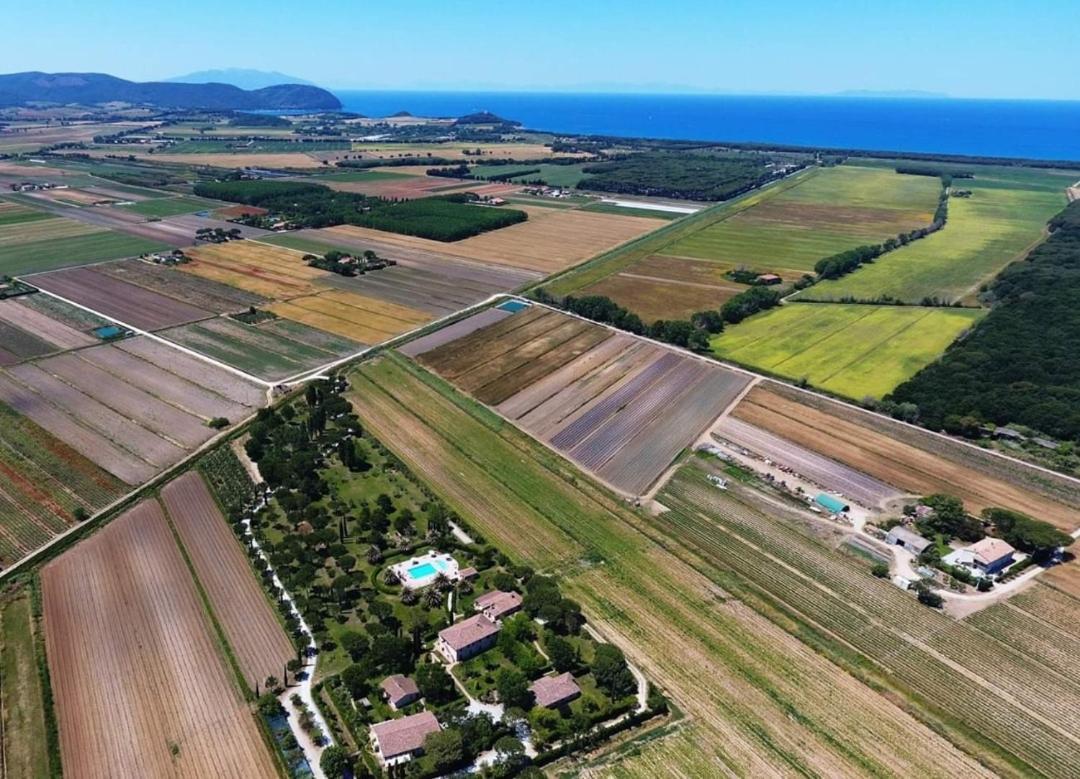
(988, 49)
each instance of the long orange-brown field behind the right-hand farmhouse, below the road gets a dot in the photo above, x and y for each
(843, 436)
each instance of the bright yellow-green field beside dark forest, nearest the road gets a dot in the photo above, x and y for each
(849, 350)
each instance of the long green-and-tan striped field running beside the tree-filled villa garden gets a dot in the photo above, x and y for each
(737, 677)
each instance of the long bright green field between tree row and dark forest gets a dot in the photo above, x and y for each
(1005, 217)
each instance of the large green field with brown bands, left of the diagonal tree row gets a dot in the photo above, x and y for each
(830, 211)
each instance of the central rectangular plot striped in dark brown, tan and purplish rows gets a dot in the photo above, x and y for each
(620, 412)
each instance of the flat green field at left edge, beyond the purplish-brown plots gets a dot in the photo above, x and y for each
(55, 253)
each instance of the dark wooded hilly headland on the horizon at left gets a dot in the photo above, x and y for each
(97, 89)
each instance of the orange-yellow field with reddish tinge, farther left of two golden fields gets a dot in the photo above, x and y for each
(266, 271)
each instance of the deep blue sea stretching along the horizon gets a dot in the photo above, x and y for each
(1045, 130)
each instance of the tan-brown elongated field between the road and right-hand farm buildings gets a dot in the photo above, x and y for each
(917, 465)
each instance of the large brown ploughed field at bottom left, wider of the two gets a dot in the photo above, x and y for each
(125, 593)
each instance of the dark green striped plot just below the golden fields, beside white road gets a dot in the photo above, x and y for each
(273, 351)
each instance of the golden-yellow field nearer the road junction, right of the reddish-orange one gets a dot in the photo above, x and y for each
(353, 316)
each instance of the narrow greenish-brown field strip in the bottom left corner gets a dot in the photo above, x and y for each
(24, 745)
